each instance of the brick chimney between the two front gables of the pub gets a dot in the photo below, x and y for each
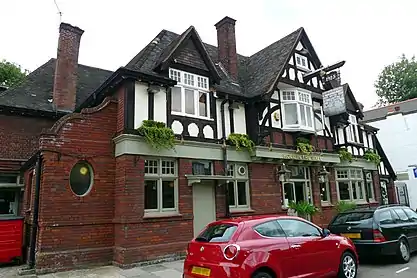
(226, 42)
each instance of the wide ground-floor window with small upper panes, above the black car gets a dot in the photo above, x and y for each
(350, 184)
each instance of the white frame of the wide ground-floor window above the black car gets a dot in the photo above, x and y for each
(353, 181)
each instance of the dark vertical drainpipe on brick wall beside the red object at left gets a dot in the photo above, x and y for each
(35, 213)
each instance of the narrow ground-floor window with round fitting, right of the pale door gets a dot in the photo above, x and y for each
(239, 187)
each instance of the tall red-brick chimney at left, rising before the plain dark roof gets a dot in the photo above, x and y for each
(65, 82)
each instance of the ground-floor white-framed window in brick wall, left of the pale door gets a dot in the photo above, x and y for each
(160, 185)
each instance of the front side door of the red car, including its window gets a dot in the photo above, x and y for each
(311, 253)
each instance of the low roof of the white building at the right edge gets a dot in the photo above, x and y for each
(381, 113)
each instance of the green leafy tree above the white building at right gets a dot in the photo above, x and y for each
(397, 81)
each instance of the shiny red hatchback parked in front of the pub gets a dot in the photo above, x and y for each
(269, 247)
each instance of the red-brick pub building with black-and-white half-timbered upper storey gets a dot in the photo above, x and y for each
(99, 191)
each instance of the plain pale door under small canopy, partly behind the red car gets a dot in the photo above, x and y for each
(204, 205)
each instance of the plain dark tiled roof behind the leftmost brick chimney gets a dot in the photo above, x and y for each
(35, 92)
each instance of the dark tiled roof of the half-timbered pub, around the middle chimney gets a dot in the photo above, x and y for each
(257, 73)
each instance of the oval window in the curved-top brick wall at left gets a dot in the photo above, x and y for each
(81, 178)
